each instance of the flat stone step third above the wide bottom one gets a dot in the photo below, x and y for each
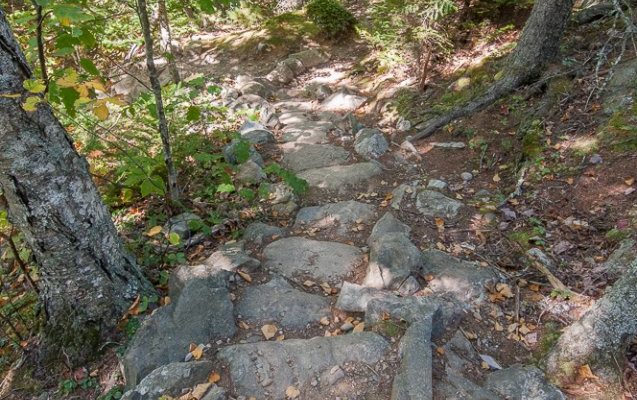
(344, 214)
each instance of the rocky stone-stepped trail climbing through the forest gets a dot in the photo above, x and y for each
(347, 301)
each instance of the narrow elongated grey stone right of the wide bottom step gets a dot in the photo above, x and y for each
(414, 376)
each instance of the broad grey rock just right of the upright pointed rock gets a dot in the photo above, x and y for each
(463, 279)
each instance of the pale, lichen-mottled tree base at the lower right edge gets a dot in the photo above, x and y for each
(600, 337)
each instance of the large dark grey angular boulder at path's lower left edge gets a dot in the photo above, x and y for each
(164, 337)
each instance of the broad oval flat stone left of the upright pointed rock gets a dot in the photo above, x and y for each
(324, 261)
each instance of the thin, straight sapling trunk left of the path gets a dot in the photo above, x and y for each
(173, 188)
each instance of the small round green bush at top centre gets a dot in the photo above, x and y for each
(331, 17)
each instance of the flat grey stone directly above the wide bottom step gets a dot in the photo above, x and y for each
(277, 301)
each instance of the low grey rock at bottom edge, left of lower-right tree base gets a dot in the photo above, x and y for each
(522, 383)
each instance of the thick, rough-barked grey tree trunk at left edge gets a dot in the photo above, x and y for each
(88, 279)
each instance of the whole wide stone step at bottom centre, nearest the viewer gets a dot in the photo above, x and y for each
(266, 370)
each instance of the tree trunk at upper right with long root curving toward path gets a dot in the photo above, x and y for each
(538, 45)
